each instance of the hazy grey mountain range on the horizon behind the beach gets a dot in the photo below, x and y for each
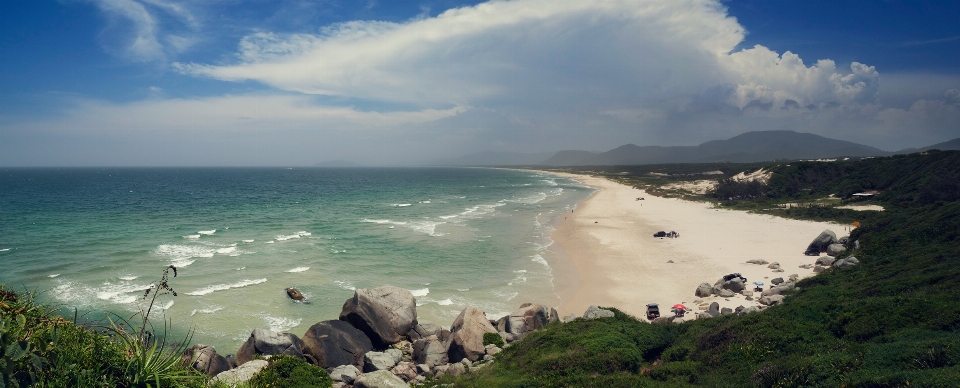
(758, 146)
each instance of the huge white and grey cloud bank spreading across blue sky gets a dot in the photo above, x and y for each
(530, 75)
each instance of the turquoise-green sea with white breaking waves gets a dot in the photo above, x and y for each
(94, 239)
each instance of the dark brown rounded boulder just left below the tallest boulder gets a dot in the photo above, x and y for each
(335, 343)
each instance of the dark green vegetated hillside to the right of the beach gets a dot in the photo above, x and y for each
(893, 320)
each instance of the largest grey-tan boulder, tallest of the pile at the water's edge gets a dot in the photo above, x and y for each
(385, 314)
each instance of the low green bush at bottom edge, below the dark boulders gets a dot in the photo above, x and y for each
(291, 372)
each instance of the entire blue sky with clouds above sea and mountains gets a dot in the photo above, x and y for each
(297, 82)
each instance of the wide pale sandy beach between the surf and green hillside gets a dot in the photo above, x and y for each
(607, 254)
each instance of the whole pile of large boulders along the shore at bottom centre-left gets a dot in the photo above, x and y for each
(378, 342)
